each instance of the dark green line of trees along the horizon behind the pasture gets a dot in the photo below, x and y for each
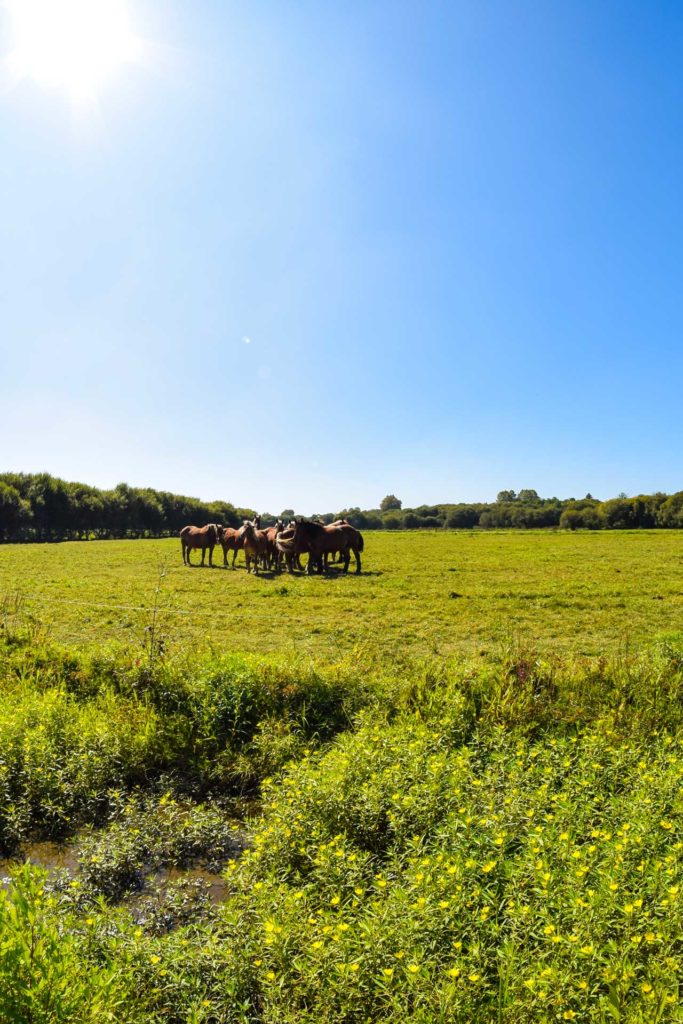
(41, 507)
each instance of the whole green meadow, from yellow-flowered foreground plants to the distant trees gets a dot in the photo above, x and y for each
(447, 790)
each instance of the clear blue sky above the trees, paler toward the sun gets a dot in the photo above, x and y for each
(305, 254)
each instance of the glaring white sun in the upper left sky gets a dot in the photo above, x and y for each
(72, 46)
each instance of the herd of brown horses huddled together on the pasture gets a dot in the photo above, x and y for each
(283, 544)
